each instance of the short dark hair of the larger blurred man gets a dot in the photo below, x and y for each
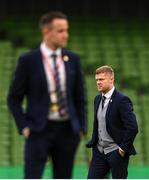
(47, 18)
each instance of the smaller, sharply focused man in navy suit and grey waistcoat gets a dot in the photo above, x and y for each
(114, 130)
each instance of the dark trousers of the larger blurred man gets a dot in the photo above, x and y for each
(58, 142)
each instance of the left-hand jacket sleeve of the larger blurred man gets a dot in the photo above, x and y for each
(16, 94)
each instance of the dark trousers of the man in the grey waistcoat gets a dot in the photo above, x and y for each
(101, 164)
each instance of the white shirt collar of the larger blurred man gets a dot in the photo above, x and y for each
(48, 52)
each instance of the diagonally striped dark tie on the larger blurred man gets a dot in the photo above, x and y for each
(61, 98)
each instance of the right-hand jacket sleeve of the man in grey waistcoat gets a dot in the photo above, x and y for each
(130, 124)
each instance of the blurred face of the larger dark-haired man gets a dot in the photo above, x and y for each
(57, 34)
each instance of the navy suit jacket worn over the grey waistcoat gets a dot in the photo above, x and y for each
(121, 122)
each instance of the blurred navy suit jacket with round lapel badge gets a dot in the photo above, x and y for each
(30, 81)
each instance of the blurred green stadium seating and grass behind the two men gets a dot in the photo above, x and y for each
(109, 32)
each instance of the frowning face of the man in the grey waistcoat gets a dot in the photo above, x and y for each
(104, 82)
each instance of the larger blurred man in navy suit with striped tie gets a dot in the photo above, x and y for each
(54, 120)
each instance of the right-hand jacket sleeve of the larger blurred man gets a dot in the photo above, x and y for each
(80, 97)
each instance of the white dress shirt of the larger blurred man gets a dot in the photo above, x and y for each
(49, 71)
